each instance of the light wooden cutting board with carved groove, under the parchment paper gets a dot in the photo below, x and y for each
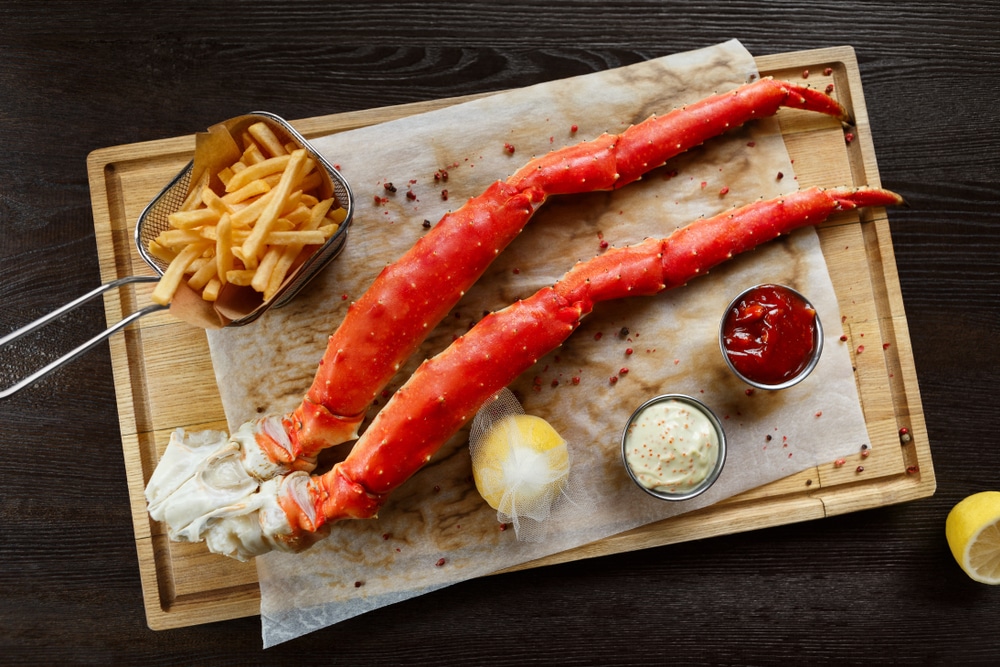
(164, 377)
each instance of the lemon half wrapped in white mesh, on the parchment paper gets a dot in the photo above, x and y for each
(521, 465)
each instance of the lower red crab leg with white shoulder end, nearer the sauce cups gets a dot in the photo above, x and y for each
(447, 390)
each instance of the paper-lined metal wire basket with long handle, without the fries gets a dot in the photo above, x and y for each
(154, 219)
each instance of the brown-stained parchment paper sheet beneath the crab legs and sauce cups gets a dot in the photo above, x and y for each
(436, 530)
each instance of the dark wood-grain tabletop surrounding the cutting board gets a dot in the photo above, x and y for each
(872, 587)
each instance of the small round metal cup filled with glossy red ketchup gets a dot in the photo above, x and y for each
(771, 336)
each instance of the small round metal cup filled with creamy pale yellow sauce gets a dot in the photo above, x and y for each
(673, 447)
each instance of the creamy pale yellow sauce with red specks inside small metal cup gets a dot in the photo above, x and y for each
(671, 446)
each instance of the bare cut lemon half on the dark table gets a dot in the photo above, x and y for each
(973, 532)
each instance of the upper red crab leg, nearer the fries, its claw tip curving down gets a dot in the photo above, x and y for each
(410, 297)
